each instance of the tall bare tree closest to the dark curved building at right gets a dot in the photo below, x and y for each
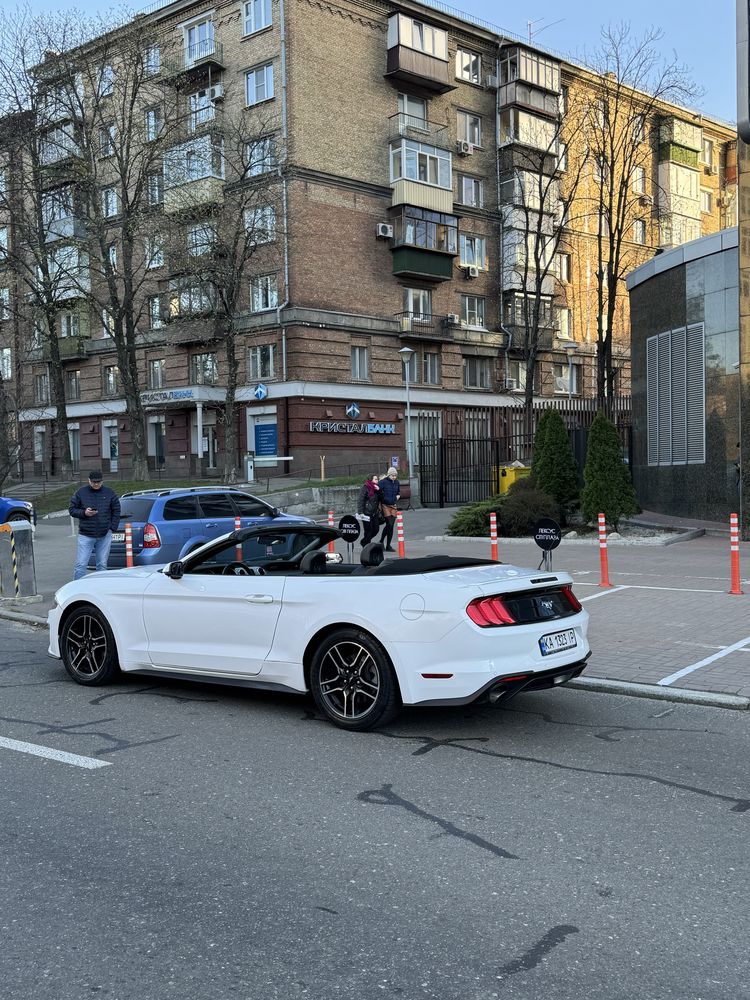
(632, 87)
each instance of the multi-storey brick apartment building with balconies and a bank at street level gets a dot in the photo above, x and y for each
(390, 131)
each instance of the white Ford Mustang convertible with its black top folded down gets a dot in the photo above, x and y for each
(266, 607)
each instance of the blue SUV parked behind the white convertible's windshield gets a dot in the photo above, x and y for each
(169, 523)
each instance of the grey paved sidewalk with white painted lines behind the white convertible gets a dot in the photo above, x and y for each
(668, 621)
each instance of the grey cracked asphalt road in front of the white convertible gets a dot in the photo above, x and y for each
(571, 845)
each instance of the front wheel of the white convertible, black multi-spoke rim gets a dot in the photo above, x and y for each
(87, 647)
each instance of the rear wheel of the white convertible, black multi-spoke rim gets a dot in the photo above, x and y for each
(353, 682)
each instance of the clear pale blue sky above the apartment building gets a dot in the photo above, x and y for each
(702, 36)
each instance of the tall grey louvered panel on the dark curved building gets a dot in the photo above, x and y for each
(675, 397)
